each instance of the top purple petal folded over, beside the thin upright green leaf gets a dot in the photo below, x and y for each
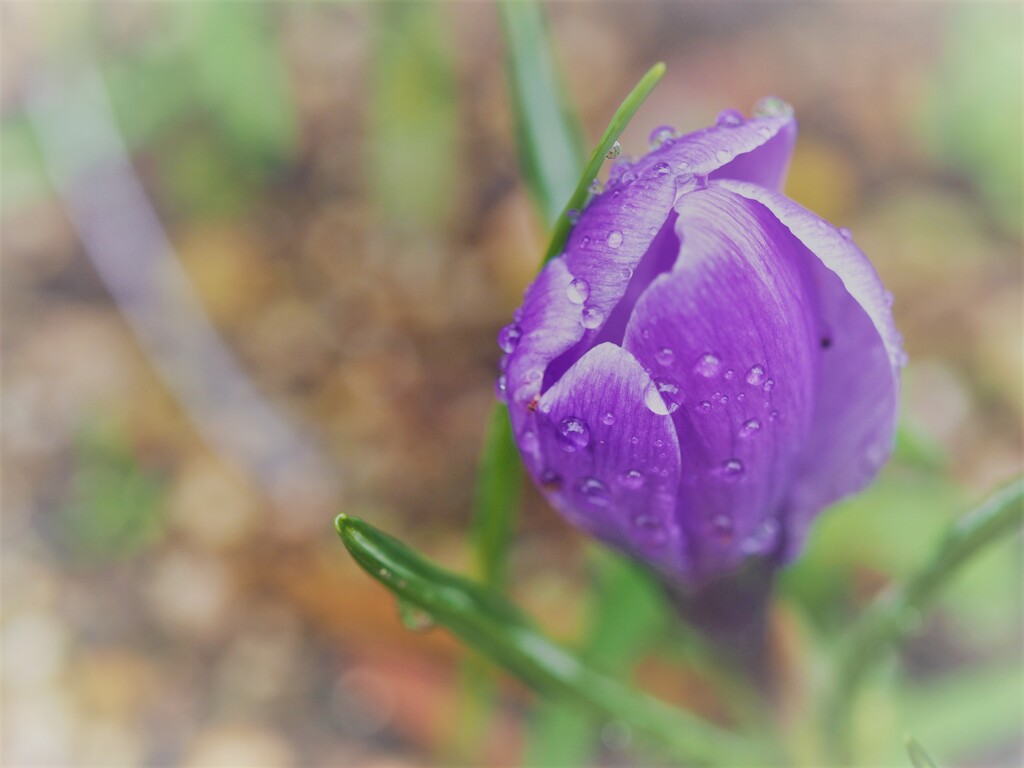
(619, 228)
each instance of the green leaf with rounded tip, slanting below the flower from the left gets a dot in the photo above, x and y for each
(495, 627)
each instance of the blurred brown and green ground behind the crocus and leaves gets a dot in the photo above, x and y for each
(255, 258)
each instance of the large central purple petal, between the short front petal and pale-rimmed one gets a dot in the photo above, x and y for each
(732, 342)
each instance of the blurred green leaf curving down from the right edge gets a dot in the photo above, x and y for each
(898, 612)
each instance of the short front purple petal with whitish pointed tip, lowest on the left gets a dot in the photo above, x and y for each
(610, 464)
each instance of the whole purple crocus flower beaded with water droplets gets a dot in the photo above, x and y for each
(708, 365)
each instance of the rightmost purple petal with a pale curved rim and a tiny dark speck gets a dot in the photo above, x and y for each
(859, 389)
